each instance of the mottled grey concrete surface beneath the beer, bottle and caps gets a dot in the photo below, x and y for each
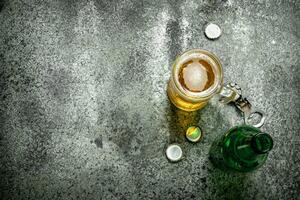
(84, 112)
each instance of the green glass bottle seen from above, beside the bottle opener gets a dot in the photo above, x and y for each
(242, 148)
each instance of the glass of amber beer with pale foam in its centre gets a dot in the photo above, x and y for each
(196, 77)
